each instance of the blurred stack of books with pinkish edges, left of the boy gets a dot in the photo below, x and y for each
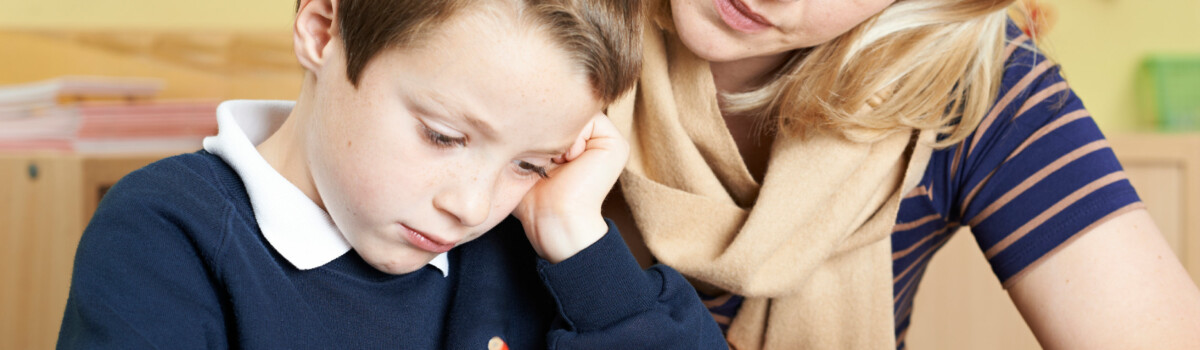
(89, 114)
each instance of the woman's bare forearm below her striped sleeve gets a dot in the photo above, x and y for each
(1117, 287)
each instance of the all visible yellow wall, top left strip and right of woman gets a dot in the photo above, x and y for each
(1100, 43)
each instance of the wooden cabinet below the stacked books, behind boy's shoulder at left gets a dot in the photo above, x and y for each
(45, 204)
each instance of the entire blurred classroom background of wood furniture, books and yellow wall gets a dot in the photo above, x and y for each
(94, 89)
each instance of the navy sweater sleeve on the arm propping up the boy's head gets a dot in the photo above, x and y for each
(607, 301)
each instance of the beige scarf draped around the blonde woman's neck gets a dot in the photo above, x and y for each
(808, 249)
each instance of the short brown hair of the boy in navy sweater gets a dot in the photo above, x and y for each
(602, 37)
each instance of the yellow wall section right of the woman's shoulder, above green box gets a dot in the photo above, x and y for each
(1101, 45)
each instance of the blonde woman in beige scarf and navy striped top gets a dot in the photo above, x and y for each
(801, 162)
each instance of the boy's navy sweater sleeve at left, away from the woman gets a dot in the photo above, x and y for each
(140, 280)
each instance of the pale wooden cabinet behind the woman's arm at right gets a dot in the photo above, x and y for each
(961, 305)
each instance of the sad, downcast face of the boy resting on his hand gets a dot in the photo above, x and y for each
(440, 143)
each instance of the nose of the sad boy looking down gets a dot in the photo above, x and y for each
(467, 201)
